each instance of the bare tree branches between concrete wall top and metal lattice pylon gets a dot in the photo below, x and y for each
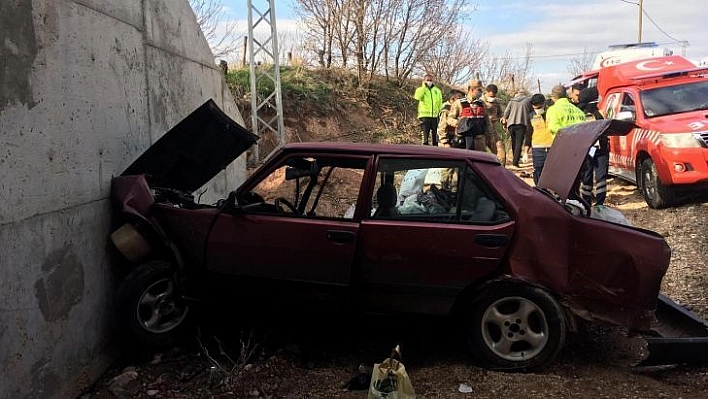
(221, 34)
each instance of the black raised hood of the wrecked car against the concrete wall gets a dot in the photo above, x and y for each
(194, 151)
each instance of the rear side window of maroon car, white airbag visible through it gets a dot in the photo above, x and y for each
(434, 191)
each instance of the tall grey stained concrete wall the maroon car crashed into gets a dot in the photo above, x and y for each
(85, 87)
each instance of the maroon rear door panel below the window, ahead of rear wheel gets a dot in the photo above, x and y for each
(421, 266)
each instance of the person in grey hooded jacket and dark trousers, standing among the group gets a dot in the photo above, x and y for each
(516, 118)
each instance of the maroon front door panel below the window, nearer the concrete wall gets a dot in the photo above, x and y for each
(283, 248)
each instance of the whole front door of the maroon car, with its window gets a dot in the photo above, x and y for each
(295, 223)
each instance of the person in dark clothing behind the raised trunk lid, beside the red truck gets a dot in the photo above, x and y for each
(597, 162)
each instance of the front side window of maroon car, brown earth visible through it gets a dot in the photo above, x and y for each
(310, 187)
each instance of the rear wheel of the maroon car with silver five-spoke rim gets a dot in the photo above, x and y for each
(515, 327)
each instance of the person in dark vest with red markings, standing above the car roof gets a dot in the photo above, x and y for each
(470, 108)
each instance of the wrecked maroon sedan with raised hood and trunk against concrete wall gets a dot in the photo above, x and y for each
(400, 228)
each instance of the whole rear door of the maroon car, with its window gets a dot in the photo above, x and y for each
(446, 233)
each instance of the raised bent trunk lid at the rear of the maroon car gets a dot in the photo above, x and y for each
(569, 149)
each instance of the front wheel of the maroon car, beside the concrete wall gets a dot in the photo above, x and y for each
(151, 309)
